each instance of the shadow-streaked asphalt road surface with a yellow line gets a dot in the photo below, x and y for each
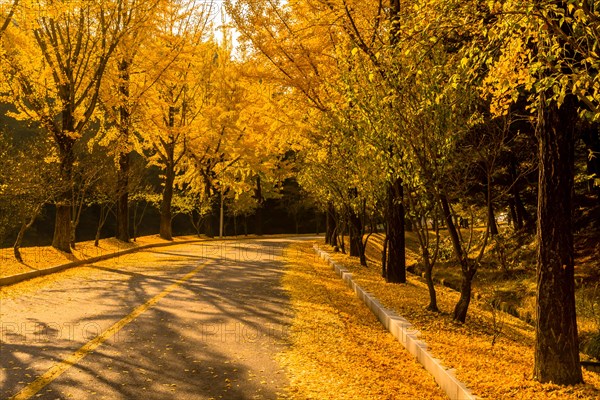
(199, 321)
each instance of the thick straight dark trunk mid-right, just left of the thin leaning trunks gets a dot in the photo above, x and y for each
(396, 256)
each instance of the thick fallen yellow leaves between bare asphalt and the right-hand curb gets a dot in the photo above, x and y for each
(338, 349)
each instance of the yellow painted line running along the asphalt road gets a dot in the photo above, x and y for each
(57, 369)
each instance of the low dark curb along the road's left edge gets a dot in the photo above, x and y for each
(11, 280)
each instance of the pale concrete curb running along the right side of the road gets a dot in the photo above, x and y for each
(402, 330)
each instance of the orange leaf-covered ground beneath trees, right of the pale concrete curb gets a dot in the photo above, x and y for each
(499, 371)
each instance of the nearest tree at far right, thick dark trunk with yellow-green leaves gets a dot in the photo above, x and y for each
(544, 53)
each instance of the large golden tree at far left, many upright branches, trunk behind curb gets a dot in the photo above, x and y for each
(54, 58)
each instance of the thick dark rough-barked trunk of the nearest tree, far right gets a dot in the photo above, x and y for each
(557, 344)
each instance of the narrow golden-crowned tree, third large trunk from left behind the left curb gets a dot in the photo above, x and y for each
(175, 103)
